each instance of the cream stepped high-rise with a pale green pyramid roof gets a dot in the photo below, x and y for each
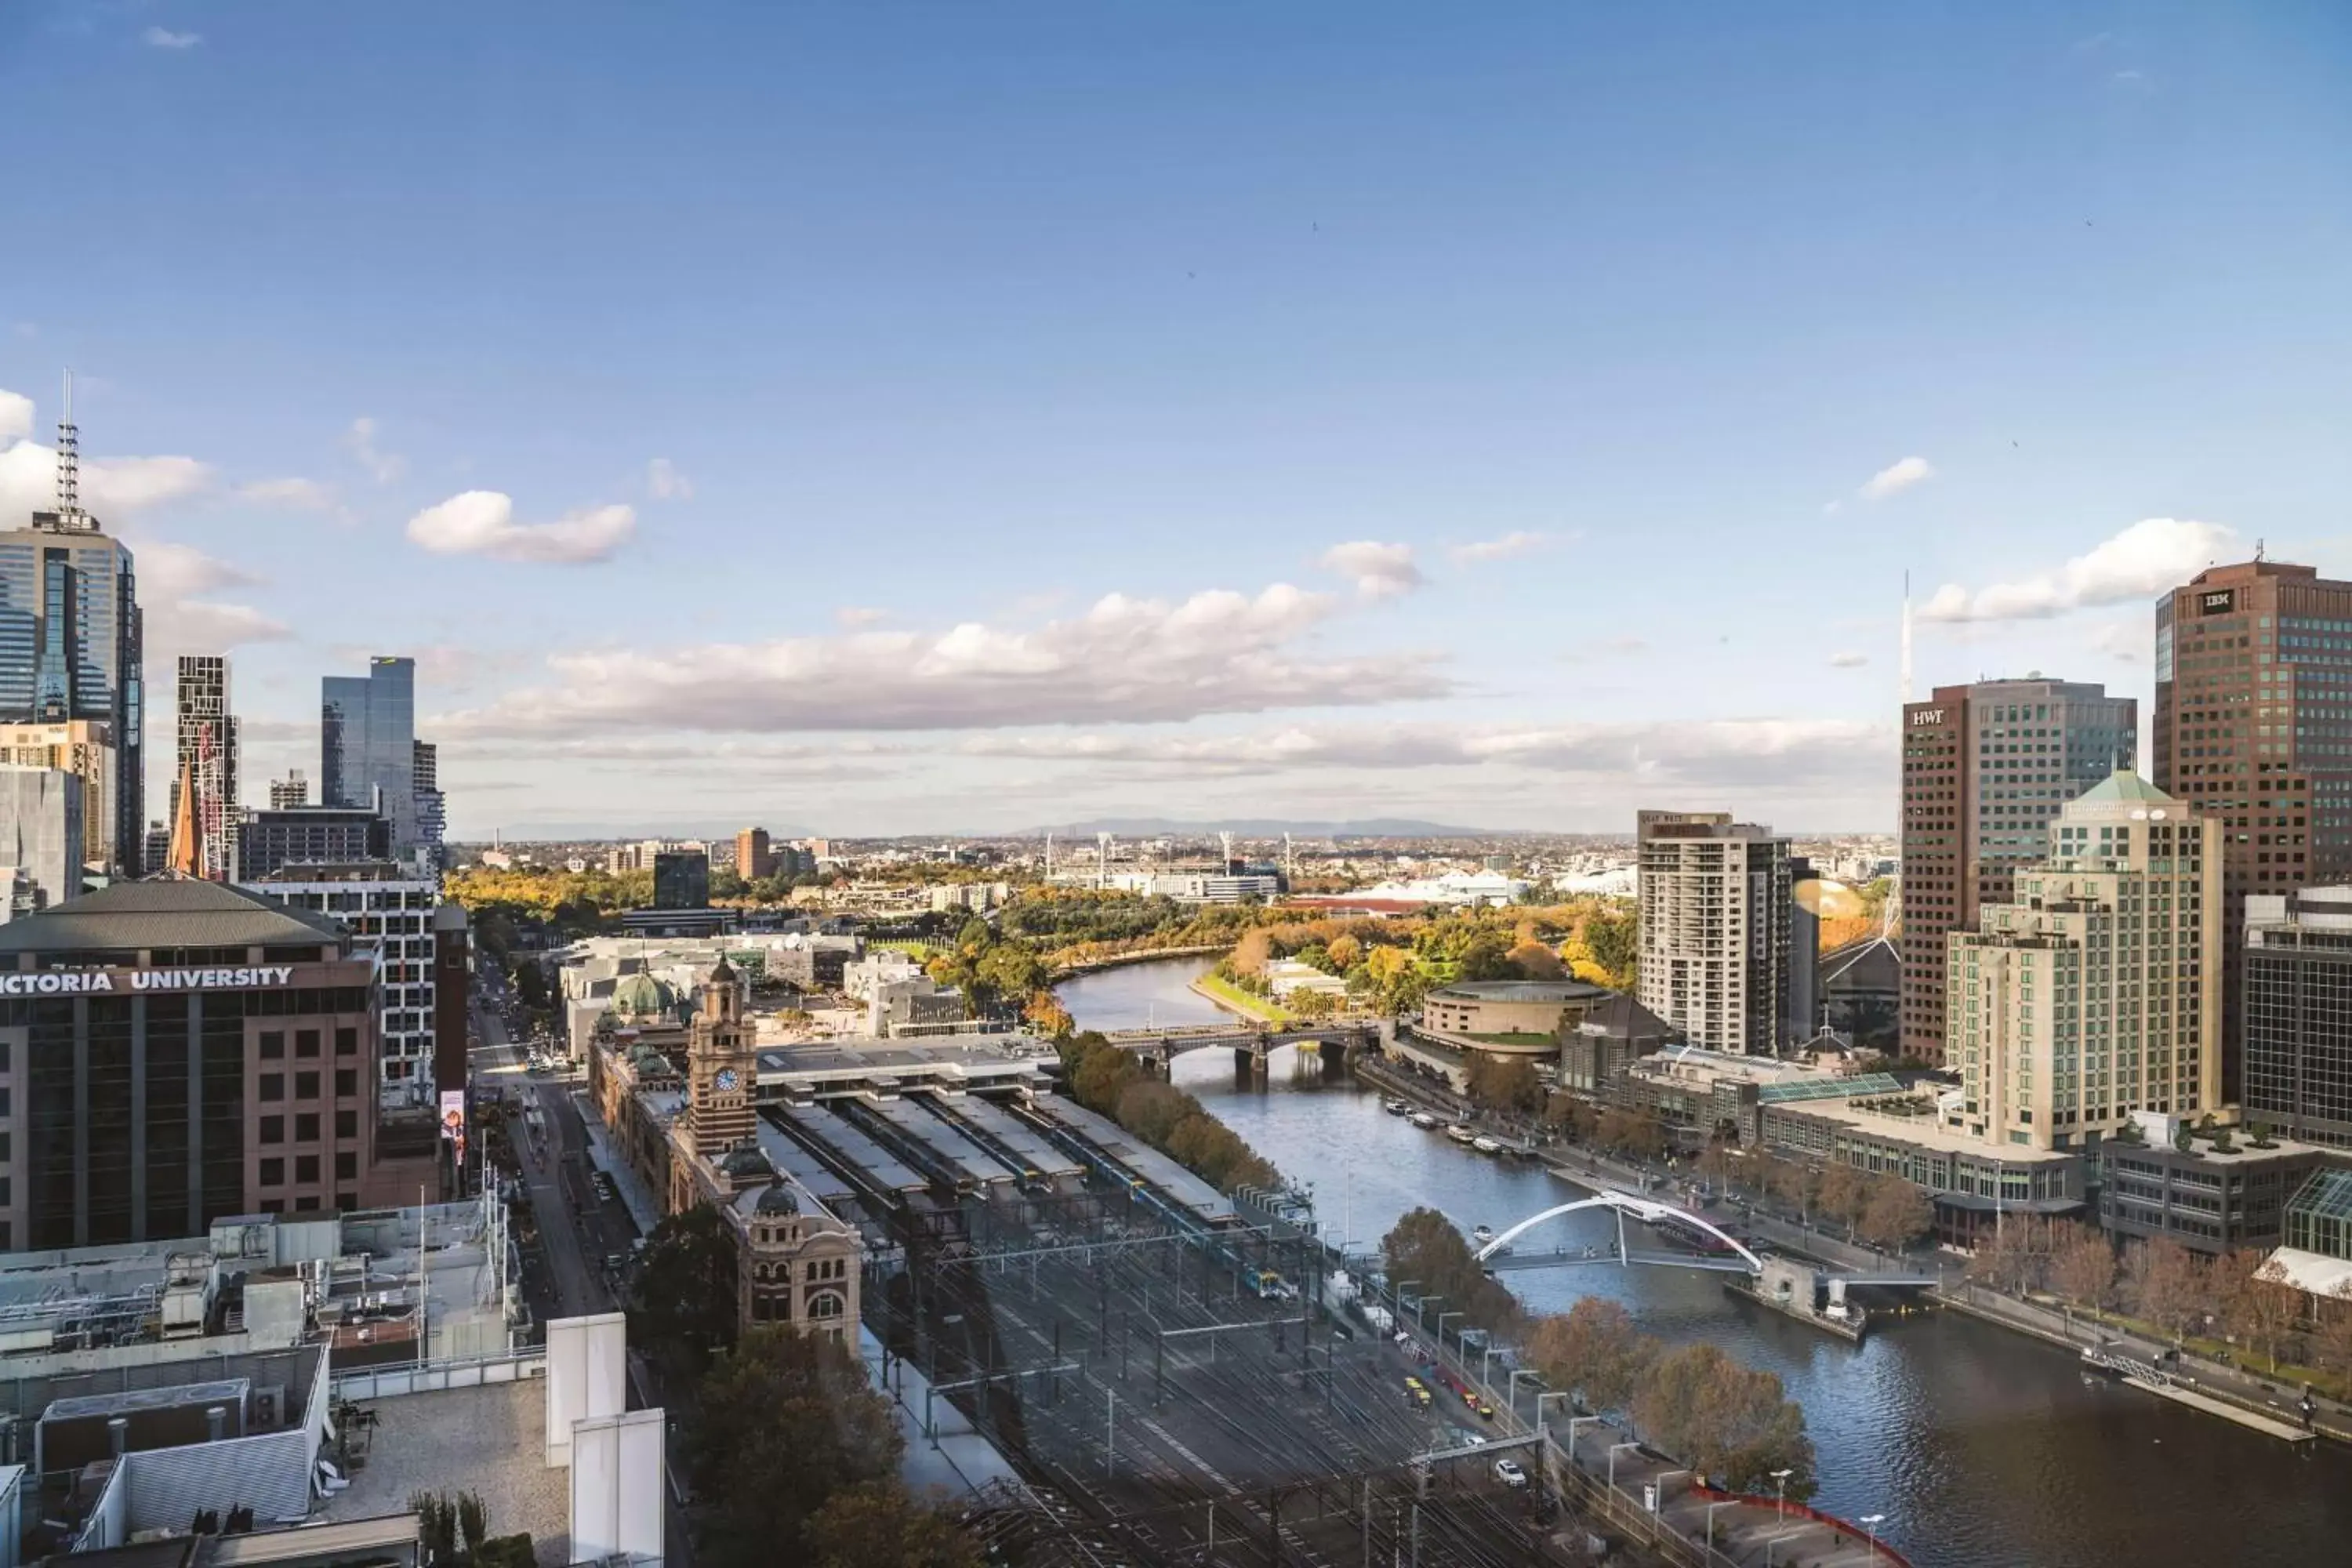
(2094, 989)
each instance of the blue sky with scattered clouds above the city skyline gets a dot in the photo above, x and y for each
(958, 417)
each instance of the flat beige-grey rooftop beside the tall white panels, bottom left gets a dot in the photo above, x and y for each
(486, 1440)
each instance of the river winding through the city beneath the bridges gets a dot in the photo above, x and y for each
(1977, 1445)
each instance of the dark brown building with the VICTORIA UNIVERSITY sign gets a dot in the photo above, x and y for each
(185, 1052)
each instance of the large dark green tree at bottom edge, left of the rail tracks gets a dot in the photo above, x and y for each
(782, 1426)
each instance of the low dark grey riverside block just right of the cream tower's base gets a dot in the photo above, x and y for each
(2212, 1195)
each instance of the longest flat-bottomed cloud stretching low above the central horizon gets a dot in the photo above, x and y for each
(1123, 662)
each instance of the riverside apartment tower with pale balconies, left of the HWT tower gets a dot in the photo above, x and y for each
(1716, 930)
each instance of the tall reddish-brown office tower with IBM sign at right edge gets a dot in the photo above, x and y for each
(2254, 725)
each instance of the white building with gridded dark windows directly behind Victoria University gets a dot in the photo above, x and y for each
(392, 909)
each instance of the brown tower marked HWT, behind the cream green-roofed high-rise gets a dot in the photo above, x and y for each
(1986, 768)
